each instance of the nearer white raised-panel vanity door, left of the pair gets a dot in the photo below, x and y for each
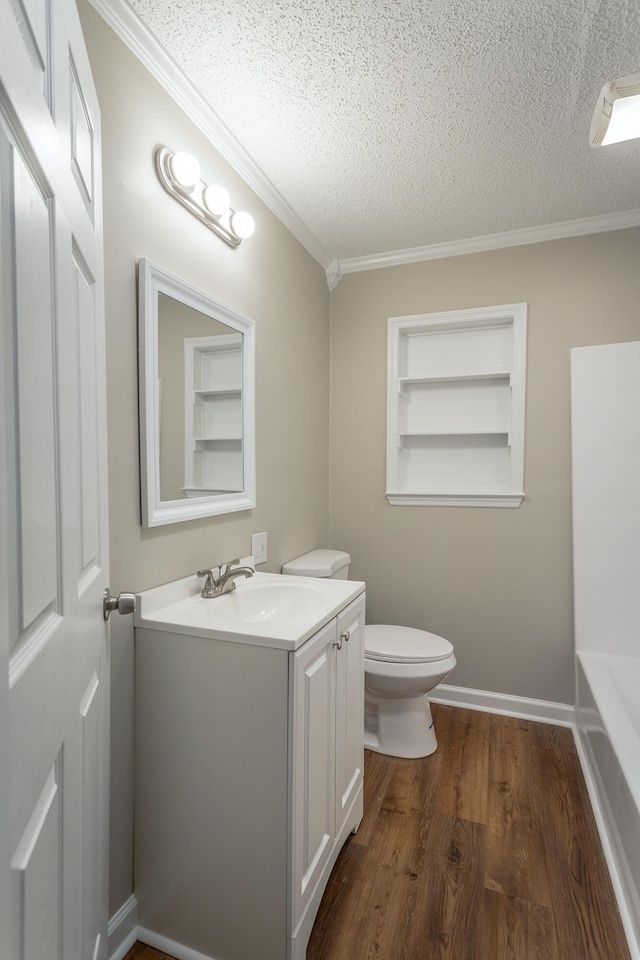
(313, 762)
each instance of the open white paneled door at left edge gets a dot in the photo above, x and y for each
(54, 550)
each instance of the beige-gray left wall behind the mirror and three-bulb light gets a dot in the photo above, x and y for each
(270, 278)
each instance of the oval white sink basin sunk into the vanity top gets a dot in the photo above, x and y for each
(254, 601)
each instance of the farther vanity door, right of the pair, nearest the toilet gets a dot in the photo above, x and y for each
(349, 708)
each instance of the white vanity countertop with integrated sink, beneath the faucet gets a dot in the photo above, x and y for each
(266, 609)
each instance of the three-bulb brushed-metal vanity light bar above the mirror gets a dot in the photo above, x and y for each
(179, 174)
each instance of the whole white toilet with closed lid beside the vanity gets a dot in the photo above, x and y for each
(402, 665)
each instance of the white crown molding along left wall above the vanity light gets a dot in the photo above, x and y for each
(138, 38)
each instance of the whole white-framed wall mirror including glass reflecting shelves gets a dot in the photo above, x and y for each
(197, 420)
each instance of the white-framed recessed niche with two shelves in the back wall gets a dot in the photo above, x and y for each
(455, 408)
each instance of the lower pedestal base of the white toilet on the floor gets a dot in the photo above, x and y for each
(399, 727)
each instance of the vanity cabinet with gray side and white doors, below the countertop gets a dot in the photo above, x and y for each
(249, 766)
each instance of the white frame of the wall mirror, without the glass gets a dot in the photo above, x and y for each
(152, 281)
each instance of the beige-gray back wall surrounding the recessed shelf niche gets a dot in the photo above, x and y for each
(496, 582)
